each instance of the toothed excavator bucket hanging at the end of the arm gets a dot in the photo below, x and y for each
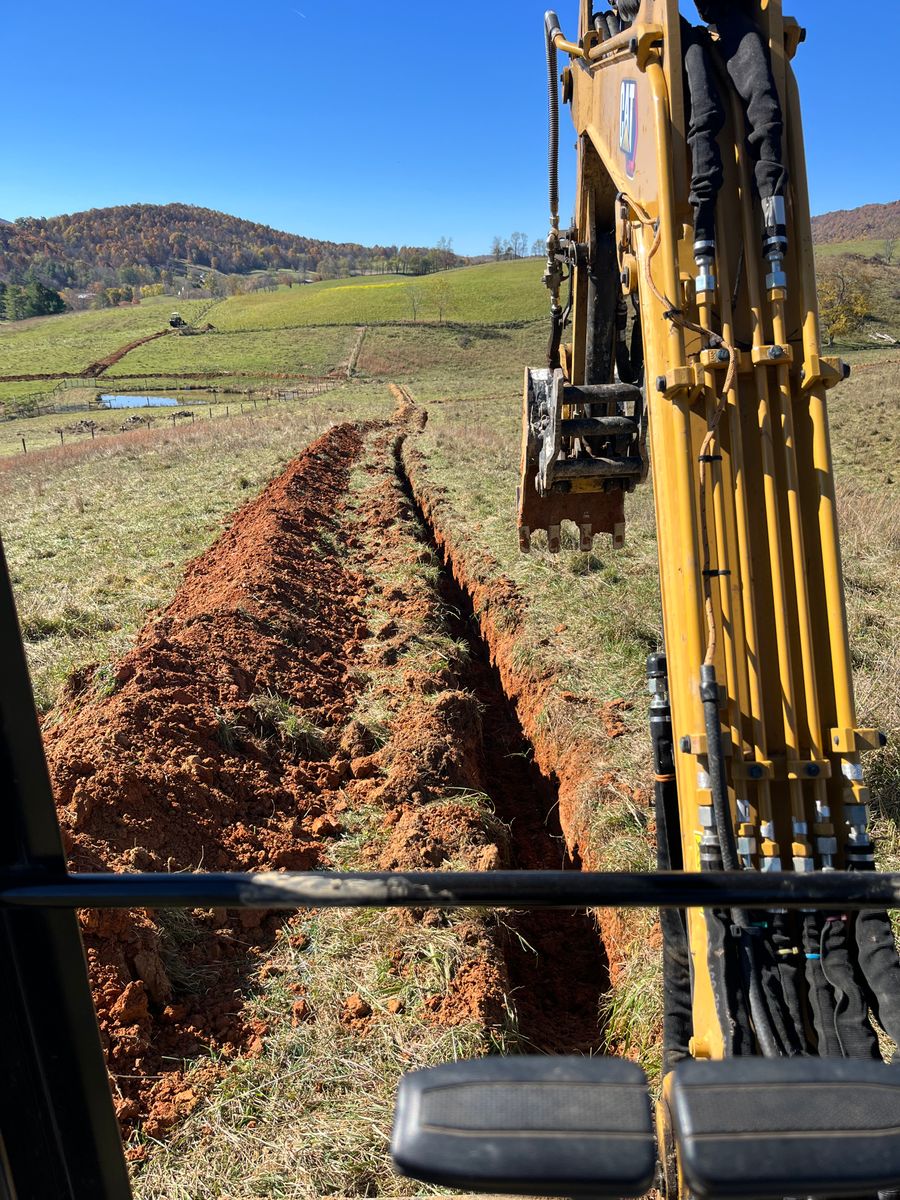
(581, 452)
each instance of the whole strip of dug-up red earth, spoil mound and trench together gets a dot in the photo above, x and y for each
(230, 740)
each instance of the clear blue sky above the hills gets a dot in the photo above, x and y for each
(382, 123)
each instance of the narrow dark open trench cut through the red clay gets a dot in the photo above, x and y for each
(555, 959)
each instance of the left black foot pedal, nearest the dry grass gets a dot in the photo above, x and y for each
(527, 1126)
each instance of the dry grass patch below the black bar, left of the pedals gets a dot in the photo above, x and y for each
(311, 1115)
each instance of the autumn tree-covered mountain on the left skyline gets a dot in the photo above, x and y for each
(140, 244)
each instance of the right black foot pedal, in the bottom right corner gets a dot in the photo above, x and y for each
(788, 1127)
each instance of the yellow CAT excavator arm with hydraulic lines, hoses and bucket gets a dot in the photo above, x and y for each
(723, 388)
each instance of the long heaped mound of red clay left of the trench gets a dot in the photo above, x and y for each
(185, 767)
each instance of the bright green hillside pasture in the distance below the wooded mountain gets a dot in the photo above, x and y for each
(442, 320)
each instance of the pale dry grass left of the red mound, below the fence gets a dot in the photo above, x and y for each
(98, 535)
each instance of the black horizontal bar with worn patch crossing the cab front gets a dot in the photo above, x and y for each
(448, 890)
